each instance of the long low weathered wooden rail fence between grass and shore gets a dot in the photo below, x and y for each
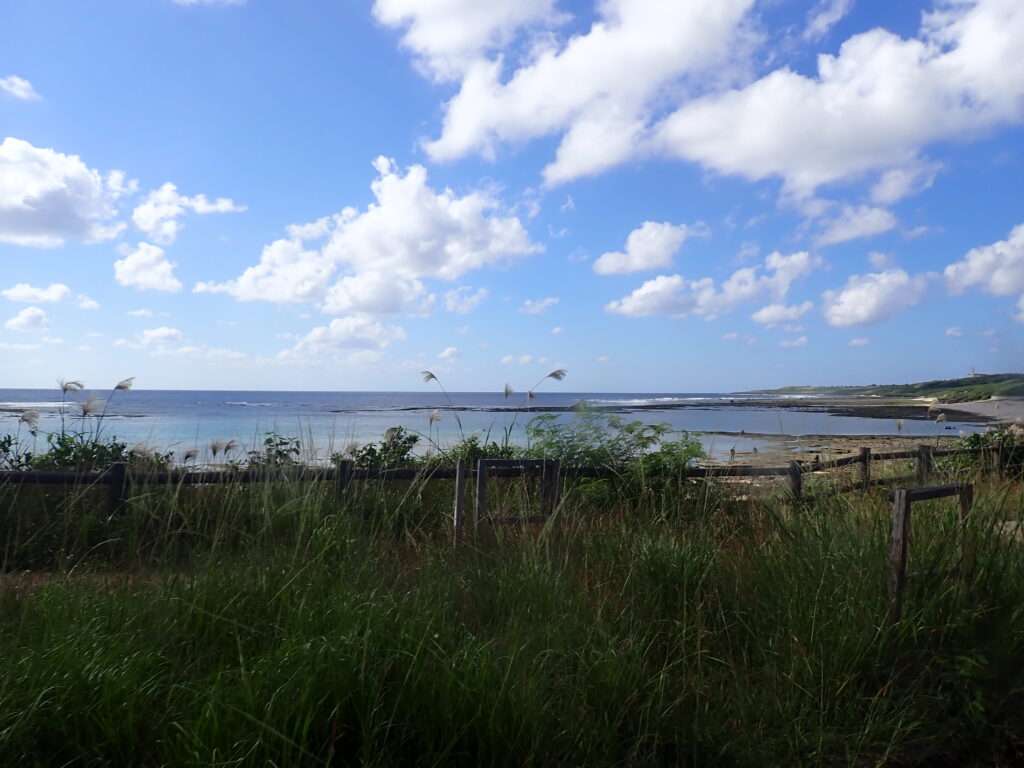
(119, 480)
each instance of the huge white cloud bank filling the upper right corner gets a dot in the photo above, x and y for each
(873, 107)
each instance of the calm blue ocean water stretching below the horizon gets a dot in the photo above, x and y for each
(325, 422)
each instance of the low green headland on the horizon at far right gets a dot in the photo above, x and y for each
(980, 388)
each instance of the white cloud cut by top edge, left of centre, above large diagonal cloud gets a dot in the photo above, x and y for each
(448, 36)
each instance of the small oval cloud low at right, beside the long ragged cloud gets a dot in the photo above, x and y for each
(872, 298)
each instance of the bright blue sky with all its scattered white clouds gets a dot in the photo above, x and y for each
(659, 196)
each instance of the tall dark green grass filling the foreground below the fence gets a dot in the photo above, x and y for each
(656, 625)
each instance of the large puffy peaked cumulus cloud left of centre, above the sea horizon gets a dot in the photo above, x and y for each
(411, 233)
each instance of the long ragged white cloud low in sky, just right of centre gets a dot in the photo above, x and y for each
(675, 296)
